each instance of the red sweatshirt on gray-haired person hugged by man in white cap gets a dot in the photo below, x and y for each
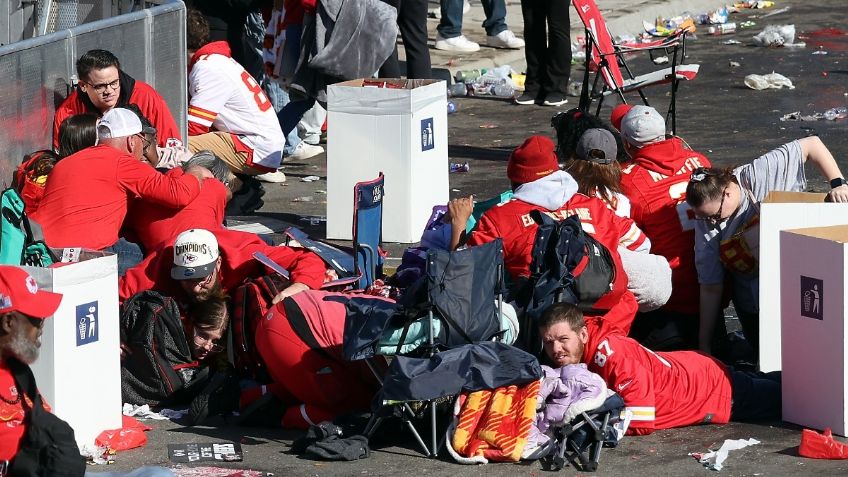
(151, 226)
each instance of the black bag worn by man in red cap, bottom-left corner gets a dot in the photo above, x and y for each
(48, 447)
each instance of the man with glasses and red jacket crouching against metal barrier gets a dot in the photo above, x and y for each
(103, 86)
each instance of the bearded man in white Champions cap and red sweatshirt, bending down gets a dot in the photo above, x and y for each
(213, 264)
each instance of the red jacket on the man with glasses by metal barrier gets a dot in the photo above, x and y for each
(149, 102)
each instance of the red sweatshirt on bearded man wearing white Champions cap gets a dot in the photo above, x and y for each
(237, 265)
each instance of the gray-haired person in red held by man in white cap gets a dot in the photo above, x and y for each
(150, 226)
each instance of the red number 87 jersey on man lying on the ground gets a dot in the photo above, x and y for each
(661, 389)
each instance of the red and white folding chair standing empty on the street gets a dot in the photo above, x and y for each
(607, 59)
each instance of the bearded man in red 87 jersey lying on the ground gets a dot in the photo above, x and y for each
(661, 390)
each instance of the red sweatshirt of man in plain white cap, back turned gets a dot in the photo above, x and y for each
(86, 198)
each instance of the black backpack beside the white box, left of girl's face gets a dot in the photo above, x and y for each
(159, 369)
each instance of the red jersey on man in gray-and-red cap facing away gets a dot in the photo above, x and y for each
(655, 182)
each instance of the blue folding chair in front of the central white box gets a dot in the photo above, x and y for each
(359, 267)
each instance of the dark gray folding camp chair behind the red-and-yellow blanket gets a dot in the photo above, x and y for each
(459, 290)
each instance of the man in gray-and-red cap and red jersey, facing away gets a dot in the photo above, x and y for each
(655, 182)
